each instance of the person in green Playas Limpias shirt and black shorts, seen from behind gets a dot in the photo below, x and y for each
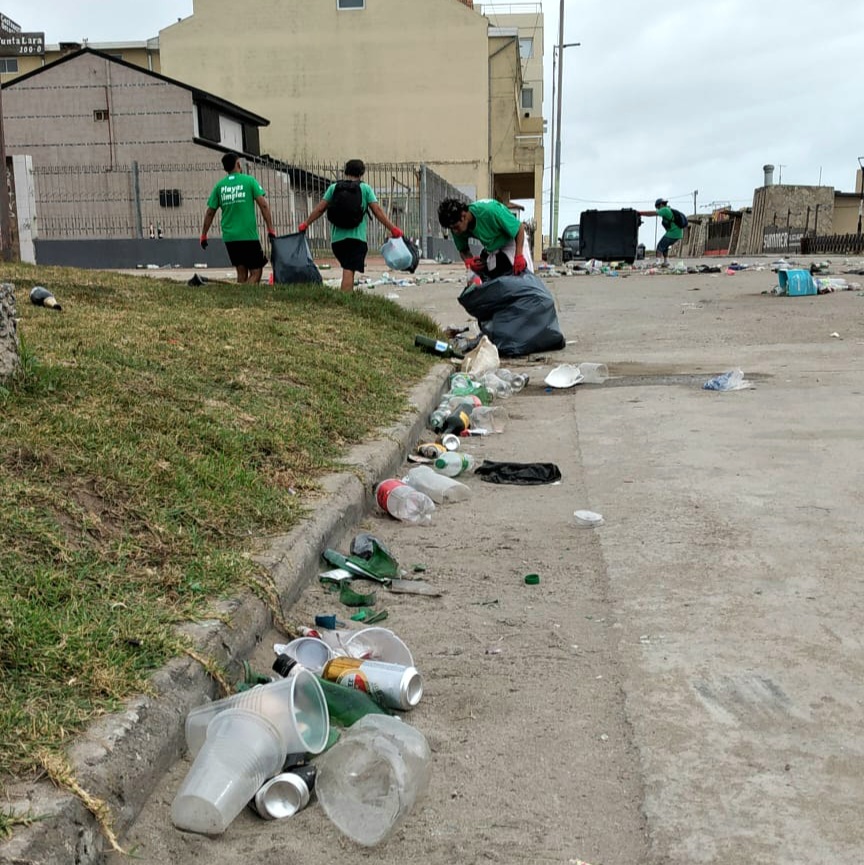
(236, 195)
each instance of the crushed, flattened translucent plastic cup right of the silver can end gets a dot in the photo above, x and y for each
(370, 780)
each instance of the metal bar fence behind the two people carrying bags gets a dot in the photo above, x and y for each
(168, 201)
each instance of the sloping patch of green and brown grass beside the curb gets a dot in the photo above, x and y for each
(153, 433)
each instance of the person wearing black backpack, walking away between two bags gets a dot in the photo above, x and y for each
(346, 203)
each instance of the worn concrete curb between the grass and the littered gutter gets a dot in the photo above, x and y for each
(120, 758)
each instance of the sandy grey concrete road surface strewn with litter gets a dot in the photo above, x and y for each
(684, 685)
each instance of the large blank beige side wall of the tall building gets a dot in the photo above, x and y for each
(398, 81)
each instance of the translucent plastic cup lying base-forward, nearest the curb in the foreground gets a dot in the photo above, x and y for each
(242, 749)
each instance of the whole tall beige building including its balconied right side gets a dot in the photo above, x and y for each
(389, 81)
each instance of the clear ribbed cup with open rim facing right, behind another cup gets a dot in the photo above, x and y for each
(295, 706)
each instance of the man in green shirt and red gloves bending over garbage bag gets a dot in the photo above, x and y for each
(501, 234)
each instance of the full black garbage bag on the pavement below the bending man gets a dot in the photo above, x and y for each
(517, 313)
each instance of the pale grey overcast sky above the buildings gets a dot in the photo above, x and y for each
(659, 100)
